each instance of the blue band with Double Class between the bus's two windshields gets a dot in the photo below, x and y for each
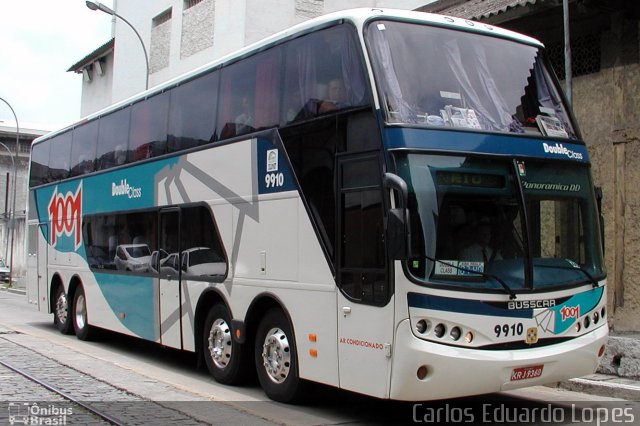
(476, 142)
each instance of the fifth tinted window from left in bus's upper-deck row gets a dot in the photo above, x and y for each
(148, 132)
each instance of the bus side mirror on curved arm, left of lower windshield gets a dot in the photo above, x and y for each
(398, 226)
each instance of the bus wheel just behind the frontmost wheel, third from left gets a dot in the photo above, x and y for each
(228, 361)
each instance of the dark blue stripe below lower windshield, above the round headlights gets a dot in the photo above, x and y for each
(464, 306)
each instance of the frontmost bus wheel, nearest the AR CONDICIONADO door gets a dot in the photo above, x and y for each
(276, 359)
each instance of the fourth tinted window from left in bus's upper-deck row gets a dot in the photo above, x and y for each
(113, 136)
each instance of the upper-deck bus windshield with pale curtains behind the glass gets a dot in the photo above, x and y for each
(438, 77)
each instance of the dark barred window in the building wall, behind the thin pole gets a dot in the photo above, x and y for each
(585, 55)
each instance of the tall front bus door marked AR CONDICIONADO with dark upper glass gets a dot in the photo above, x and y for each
(365, 308)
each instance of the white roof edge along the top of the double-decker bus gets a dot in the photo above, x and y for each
(358, 16)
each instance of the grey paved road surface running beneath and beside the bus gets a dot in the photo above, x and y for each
(148, 372)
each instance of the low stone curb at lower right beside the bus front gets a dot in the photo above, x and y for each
(605, 386)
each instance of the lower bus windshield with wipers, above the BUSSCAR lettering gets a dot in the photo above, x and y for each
(507, 219)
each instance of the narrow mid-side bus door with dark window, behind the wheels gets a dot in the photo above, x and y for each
(167, 261)
